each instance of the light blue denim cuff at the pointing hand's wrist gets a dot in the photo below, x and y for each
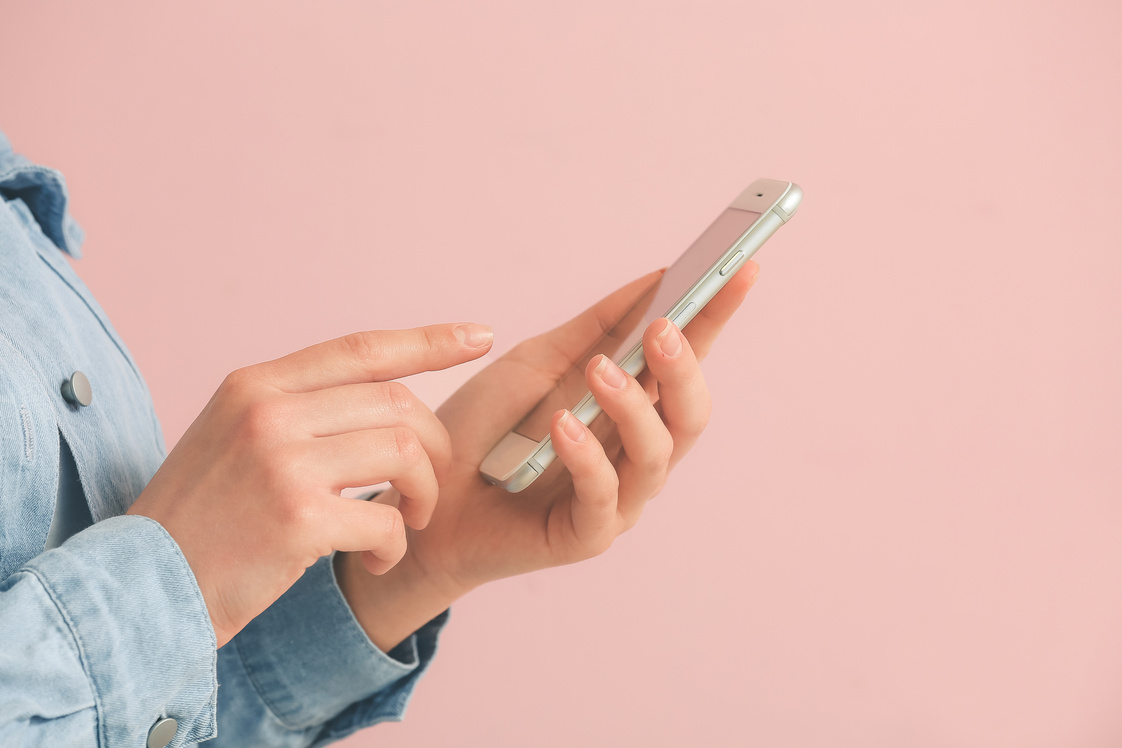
(141, 625)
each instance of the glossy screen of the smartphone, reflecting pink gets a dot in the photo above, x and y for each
(656, 303)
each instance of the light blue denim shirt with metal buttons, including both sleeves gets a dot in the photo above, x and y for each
(107, 634)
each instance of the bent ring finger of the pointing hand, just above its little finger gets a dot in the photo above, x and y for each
(364, 458)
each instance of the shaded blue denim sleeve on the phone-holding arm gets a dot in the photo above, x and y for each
(305, 673)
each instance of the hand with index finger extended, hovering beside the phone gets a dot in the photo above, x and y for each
(251, 494)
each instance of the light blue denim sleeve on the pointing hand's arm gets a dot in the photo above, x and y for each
(104, 636)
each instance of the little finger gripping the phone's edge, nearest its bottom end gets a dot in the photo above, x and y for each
(595, 484)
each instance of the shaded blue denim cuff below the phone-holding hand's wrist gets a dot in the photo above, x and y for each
(311, 662)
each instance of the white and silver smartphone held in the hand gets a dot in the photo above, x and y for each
(687, 287)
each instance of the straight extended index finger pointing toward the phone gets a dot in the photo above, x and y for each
(378, 356)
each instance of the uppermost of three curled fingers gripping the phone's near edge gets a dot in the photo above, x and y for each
(684, 396)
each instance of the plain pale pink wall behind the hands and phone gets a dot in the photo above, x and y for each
(905, 524)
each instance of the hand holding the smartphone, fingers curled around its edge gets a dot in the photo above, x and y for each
(480, 532)
